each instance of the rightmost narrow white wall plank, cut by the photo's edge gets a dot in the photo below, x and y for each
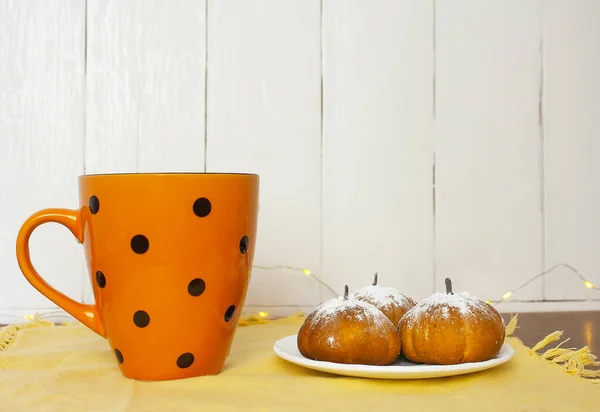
(572, 143)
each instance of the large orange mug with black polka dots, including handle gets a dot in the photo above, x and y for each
(169, 256)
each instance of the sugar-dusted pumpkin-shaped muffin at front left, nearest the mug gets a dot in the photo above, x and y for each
(349, 331)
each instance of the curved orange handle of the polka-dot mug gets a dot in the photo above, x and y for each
(86, 314)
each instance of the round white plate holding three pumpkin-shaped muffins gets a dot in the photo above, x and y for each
(287, 349)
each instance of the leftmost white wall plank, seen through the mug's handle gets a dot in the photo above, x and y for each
(42, 44)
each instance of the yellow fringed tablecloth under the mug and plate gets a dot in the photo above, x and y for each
(70, 369)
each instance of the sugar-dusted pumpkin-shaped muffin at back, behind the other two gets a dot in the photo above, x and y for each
(389, 300)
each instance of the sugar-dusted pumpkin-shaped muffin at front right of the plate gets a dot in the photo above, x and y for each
(451, 328)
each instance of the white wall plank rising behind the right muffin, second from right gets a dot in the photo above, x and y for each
(488, 145)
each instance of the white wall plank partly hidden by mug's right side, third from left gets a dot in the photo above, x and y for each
(264, 116)
